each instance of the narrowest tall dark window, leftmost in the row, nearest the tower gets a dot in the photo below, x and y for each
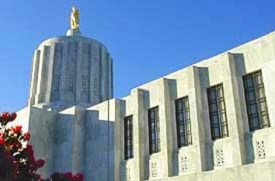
(128, 137)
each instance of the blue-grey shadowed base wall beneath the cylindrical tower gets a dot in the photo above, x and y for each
(74, 140)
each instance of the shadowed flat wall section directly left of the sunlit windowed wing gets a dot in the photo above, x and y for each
(99, 147)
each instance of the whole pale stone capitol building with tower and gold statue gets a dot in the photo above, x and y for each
(211, 121)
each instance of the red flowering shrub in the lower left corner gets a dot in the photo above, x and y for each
(17, 162)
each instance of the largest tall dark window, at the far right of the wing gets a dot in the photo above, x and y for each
(256, 101)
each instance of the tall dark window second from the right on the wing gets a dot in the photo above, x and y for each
(217, 112)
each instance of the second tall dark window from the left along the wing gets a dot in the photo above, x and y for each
(154, 130)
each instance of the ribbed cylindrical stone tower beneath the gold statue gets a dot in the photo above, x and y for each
(71, 70)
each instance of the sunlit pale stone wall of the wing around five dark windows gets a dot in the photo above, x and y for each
(205, 158)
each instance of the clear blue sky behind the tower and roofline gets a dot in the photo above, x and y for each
(147, 38)
